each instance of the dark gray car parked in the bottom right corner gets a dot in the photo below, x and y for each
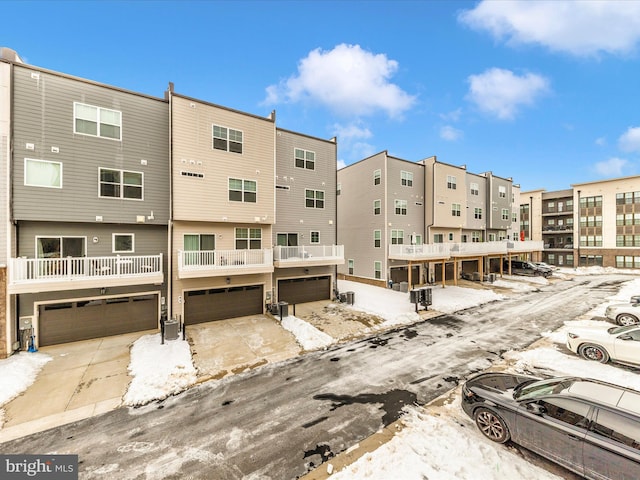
(587, 426)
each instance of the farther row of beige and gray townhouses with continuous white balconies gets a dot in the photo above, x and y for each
(424, 222)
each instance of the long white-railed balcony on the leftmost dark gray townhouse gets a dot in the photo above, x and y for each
(32, 275)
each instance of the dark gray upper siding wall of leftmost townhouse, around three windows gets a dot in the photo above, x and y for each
(43, 117)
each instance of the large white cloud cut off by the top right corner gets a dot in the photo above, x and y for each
(575, 27)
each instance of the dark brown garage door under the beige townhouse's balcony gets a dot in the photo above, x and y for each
(220, 303)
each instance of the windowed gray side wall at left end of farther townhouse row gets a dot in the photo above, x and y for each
(356, 221)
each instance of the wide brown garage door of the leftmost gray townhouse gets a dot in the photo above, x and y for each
(82, 320)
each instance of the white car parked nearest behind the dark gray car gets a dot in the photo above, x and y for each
(618, 344)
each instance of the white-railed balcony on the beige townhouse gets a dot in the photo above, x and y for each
(216, 263)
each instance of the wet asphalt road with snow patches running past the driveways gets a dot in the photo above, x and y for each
(283, 420)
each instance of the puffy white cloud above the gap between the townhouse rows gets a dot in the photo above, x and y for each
(347, 79)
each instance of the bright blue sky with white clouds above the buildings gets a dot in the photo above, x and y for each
(545, 92)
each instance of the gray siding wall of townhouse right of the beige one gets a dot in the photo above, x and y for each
(292, 216)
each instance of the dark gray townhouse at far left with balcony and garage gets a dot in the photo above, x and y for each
(86, 207)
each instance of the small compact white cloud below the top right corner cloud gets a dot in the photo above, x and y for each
(500, 92)
